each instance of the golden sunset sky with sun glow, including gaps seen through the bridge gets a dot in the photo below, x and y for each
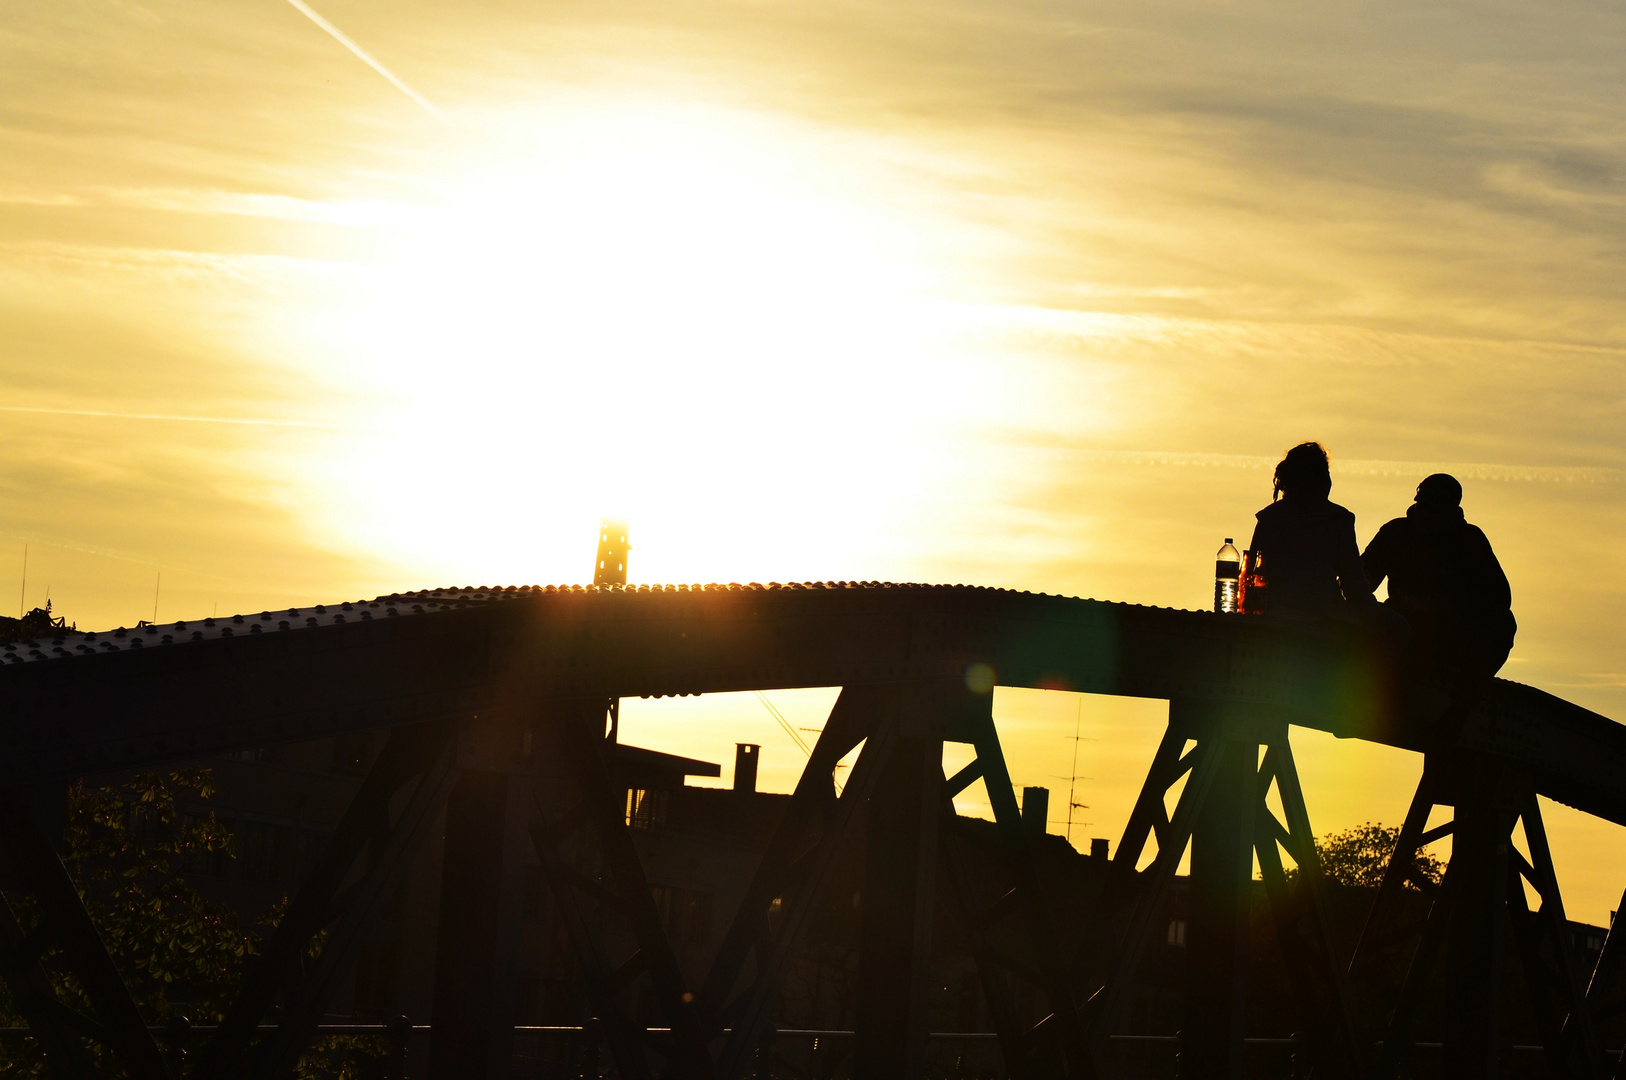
(1022, 294)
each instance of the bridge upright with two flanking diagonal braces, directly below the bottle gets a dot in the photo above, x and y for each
(1224, 812)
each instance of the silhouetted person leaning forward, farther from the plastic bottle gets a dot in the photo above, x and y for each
(1445, 578)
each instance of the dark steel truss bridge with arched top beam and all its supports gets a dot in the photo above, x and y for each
(498, 697)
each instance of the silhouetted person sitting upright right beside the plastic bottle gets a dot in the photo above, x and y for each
(1308, 542)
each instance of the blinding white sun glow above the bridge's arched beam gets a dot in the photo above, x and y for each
(680, 318)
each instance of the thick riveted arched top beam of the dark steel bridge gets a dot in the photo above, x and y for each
(277, 677)
